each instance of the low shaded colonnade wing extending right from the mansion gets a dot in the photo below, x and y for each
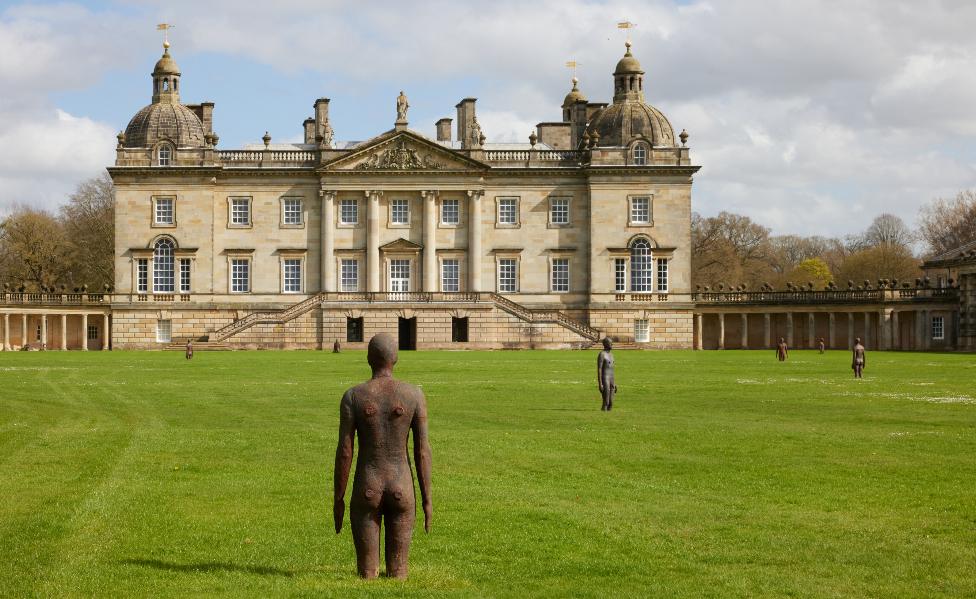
(880, 328)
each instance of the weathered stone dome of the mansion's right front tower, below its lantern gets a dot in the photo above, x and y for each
(619, 123)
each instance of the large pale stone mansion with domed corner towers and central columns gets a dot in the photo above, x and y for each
(584, 231)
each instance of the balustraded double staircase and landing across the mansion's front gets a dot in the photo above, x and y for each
(215, 339)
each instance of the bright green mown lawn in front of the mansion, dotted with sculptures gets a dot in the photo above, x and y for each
(719, 474)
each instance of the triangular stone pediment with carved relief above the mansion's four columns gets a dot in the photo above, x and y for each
(403, 151)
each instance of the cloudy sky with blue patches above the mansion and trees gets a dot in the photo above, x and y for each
(809, 117)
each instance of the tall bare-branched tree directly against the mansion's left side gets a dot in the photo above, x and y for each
(89, 224)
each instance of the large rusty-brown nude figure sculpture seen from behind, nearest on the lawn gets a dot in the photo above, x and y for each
(382, 412)
